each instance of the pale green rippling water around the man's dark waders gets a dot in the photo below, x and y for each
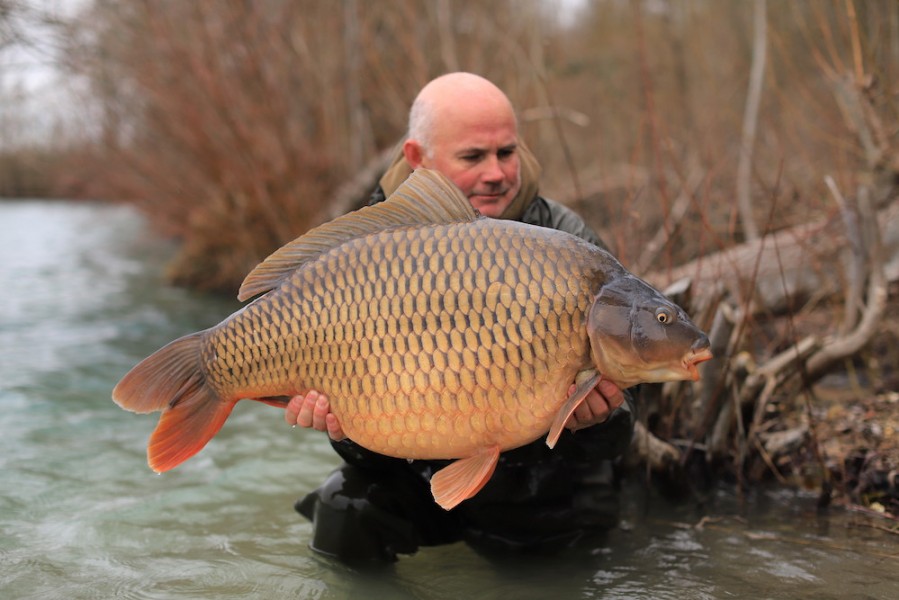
(82, 299)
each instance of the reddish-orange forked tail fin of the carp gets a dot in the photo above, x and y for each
(170, 380)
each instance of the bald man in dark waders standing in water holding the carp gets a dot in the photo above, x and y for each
(375, 506)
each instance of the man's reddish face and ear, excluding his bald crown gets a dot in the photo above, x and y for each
(477, 149)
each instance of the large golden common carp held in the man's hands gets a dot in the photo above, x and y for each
(435, 332)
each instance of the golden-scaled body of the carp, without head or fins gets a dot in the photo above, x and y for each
(395, 324)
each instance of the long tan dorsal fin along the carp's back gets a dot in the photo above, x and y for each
(426, 197)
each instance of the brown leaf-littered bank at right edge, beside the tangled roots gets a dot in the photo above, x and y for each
(840, 438)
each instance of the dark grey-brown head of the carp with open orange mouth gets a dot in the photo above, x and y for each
(637, 335)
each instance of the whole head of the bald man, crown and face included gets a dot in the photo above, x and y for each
(464, 126)
